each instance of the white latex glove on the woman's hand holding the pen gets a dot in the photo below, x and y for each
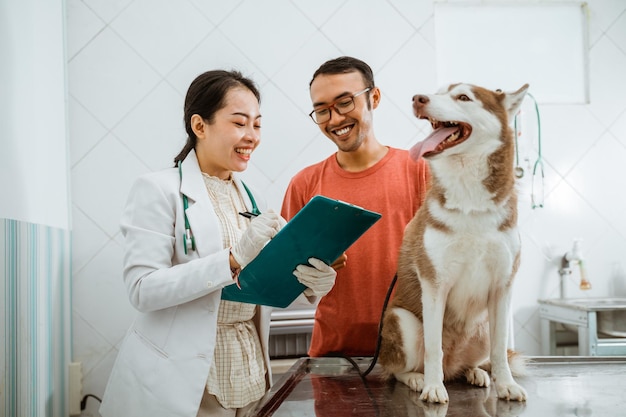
(262, 228)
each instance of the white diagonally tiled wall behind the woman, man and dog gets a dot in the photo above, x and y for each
(130, 62)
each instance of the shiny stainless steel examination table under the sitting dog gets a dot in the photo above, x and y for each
(556, 386)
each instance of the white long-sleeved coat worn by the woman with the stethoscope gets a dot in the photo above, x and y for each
(163, 363)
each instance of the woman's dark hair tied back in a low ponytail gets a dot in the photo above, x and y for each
(206, 96)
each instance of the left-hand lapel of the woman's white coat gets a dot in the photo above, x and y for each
(203, 221)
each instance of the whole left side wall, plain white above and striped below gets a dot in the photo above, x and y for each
(35, 328)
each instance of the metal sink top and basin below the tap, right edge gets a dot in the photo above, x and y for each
(610, 312)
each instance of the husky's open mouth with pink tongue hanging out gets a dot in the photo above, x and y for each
(444, 136)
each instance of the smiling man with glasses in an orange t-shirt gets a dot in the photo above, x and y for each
(368, 174)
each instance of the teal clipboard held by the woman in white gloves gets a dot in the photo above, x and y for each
(324, 228)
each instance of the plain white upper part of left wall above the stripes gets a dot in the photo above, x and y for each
(33, 117)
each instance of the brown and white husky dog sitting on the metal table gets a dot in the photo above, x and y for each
(450, 313)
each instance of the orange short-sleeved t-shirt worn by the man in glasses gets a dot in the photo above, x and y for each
(347, 318)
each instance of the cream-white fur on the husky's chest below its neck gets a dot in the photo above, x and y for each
(467, 237)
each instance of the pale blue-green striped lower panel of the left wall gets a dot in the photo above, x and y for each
(35, 327)
